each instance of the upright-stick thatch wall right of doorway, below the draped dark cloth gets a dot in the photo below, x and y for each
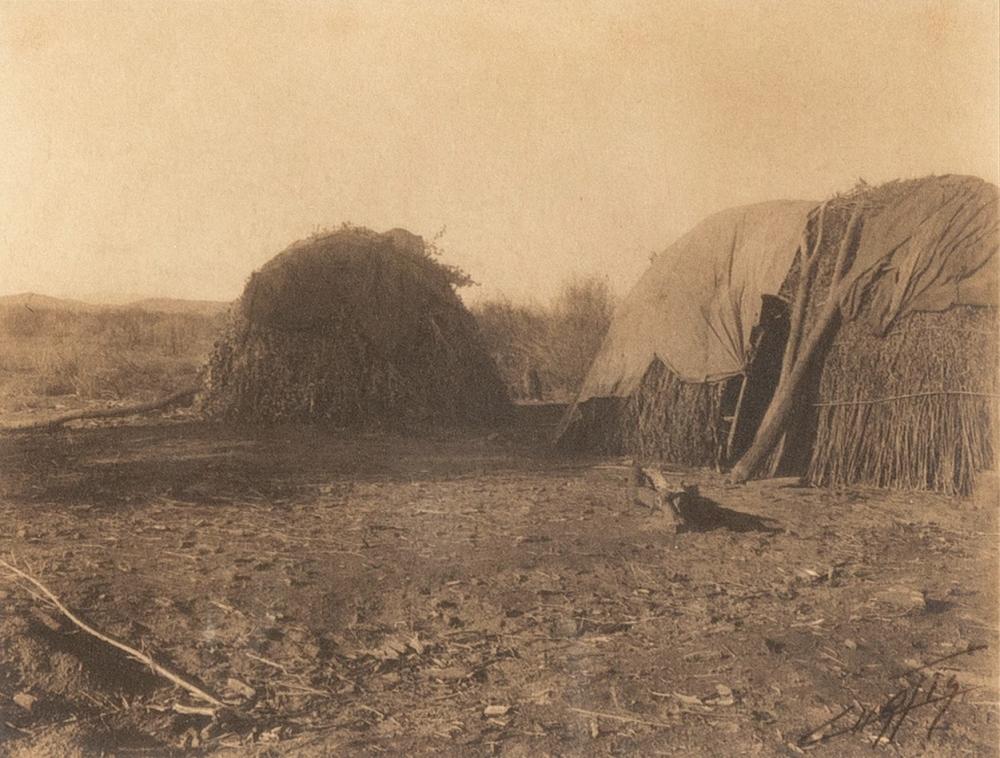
(914, 409)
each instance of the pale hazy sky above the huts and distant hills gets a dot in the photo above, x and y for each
(169, 149)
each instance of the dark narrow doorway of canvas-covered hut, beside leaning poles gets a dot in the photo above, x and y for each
(745, 398)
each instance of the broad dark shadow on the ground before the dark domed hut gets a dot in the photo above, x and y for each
(200, 461)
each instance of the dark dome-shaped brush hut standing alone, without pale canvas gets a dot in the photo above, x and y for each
(353, 327)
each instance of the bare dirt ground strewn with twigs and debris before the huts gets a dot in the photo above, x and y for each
(471, 593)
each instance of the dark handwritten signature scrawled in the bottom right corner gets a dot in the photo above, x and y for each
(923, 692)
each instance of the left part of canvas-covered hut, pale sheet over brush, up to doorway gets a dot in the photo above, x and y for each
(667, 379)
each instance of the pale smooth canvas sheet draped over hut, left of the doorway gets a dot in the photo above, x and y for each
(696, 304)
